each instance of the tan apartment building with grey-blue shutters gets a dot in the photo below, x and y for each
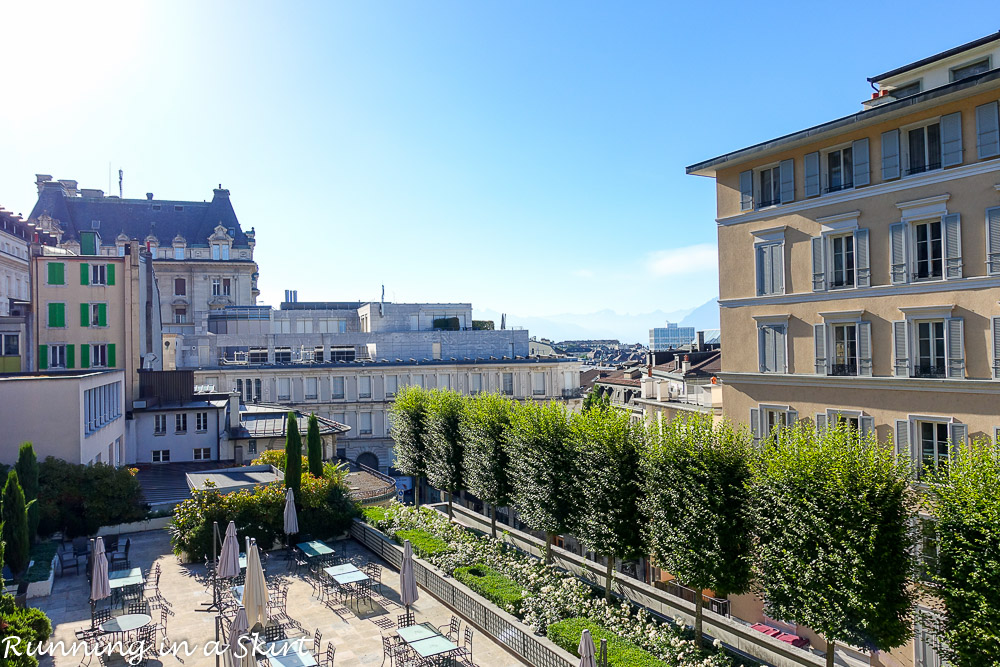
(862, 265)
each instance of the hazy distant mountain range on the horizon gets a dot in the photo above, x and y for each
(607, 323)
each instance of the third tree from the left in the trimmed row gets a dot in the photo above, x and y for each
(487, 465)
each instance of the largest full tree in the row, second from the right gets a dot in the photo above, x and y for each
(831, 513)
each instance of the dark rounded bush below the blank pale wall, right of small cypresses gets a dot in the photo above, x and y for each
(79, 499)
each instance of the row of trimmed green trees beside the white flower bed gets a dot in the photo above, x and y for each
(819, 525)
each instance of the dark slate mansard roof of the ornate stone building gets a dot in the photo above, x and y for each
(137, 218)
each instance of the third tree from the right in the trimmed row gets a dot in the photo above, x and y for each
(697, 507)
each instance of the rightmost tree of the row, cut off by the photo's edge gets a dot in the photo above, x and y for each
(965, 503)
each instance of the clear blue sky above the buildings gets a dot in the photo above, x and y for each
(525, 156)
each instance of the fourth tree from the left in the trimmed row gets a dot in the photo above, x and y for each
(546, 482)
